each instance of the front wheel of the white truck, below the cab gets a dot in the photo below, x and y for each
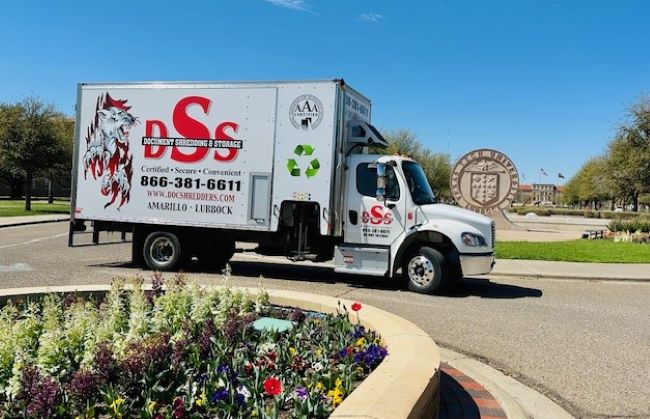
(424, 271)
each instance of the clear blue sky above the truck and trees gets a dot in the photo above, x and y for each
(545, 81)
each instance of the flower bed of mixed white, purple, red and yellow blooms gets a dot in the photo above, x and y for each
(181, 352)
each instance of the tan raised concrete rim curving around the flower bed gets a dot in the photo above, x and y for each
(405, 385)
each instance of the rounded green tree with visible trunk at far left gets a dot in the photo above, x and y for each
(30, 140)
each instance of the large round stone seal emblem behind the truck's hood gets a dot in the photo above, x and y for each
(484, 181)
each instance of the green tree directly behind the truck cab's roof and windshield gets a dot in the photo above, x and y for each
(437, 166)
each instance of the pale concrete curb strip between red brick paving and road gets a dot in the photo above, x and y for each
(516, 400)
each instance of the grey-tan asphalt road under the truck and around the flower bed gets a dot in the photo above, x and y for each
(584, 344)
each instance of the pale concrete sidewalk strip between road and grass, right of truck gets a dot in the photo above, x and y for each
(572, 270)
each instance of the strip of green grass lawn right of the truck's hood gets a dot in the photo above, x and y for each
(603, 251)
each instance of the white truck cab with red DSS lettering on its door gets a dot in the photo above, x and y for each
(393, 222)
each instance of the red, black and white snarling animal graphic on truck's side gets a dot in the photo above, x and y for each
(107, 153)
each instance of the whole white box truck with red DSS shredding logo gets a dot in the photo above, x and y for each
(192, 168)
